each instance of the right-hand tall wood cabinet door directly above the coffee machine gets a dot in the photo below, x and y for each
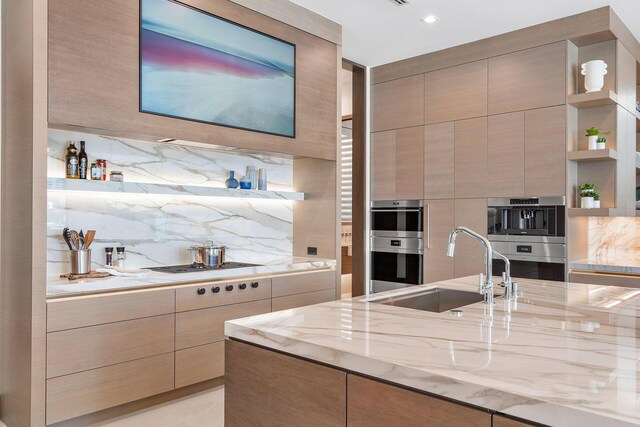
(545, 151)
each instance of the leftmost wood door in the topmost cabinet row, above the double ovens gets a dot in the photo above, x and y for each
(397, 104)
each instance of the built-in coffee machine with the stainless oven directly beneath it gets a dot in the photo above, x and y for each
(531, 233)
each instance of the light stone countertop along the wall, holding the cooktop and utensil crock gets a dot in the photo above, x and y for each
(58, 287)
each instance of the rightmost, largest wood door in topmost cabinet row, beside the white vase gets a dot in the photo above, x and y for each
(529, 79)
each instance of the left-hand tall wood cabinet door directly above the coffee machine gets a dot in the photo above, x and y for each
(505, 159)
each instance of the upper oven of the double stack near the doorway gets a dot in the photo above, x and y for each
(400, 221)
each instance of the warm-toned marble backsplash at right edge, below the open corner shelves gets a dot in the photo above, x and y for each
(614, 238)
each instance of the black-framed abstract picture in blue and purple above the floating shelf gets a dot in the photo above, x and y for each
(197, 66)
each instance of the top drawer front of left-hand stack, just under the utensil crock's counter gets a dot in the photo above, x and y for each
(99, 309)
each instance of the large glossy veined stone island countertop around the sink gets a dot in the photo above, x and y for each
(563, 355)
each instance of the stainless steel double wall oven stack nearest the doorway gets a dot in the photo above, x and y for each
(397, 245)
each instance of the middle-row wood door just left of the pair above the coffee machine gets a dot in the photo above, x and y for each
(471, 158)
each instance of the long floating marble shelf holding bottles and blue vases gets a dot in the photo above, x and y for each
(62, 184)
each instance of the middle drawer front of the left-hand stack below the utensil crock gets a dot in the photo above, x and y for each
(77, 350)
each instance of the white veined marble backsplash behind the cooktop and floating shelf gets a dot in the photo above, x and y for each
(158, 229)
